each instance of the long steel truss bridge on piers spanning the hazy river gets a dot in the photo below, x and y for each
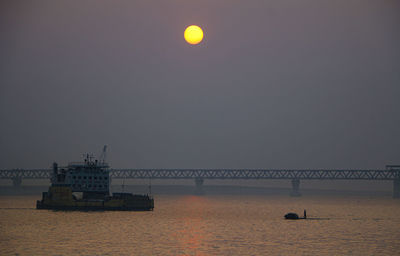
(391, 173)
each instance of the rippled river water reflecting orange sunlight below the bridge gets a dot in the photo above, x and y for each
(207, 225)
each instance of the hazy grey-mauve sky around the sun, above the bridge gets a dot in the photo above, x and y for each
(274, 84)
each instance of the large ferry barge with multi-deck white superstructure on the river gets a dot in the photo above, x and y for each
(85, 186)
